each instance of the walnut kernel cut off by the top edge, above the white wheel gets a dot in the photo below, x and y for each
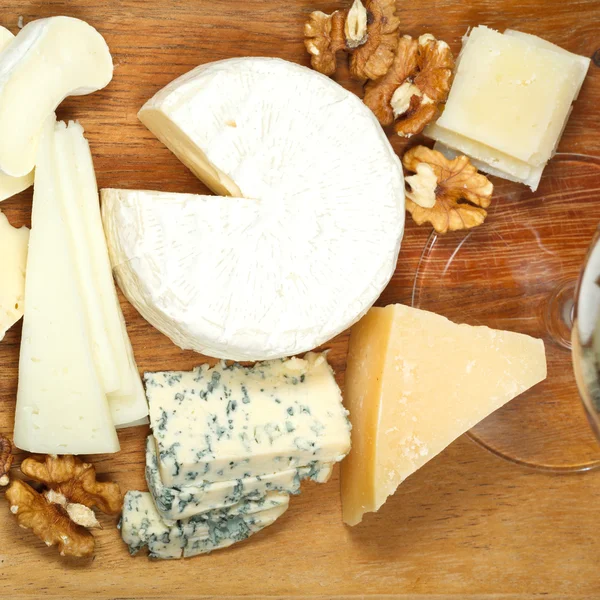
(368, 32)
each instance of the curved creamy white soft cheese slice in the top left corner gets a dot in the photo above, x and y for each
(49, 60)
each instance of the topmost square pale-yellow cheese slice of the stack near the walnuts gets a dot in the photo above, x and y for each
(511, 95)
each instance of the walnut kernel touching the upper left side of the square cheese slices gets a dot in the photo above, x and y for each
(414, 87)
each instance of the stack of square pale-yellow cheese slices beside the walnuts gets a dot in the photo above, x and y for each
(509, 104)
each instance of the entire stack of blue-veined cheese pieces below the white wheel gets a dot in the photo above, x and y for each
(229, 446)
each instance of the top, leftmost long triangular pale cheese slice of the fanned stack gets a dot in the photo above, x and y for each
(61, 405)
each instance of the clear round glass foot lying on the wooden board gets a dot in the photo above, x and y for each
(518, 272)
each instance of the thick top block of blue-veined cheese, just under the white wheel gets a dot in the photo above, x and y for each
(233, 422)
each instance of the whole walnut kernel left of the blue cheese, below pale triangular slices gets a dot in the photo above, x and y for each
(61, 513)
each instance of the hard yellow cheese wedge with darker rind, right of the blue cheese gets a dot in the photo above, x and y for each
(415, 381)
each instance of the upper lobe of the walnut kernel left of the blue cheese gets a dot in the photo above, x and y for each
(75, 480)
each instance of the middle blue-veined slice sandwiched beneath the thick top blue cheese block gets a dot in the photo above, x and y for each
(176, 503)
